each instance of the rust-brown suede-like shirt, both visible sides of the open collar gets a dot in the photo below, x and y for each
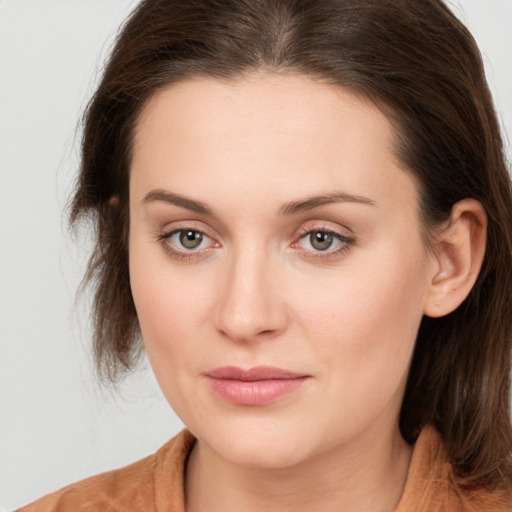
(155, 484)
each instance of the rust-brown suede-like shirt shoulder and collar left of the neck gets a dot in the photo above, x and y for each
(138, 486)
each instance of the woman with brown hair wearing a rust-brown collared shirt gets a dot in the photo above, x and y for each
(304, 212)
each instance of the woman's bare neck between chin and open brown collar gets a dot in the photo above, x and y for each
(369, 475)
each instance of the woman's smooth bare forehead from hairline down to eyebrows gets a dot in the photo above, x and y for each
(291, 132)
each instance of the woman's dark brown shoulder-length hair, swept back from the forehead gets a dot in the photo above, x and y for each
(416, 60)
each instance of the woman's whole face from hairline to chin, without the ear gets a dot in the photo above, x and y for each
(277, 264)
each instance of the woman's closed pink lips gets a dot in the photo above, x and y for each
(256, 386)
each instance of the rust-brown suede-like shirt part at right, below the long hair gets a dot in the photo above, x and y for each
(432, 486)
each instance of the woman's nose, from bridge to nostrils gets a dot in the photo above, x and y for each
(251, 304)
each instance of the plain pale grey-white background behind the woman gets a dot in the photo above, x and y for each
(56, 424)
